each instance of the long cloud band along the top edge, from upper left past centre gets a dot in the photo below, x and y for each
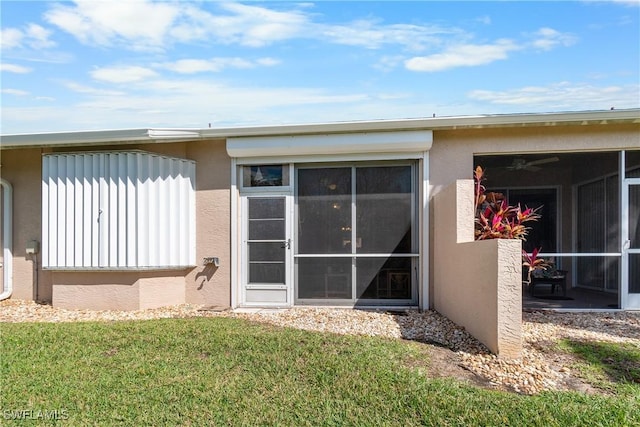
(141, 25)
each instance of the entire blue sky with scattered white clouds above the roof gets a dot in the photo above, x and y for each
(90, 65)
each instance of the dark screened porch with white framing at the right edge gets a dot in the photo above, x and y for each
(590, 224)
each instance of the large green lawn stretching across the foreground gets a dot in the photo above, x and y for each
(224, 371)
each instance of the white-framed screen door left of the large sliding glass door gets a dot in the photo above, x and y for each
(266, 250)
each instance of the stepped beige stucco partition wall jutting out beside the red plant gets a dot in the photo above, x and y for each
(476, 284)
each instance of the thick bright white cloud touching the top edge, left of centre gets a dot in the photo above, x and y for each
(144, 25)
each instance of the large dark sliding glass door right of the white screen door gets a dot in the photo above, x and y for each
(356, 234)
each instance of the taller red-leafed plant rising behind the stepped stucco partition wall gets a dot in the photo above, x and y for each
(495, 218)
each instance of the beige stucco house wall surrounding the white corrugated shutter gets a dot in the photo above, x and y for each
(126, 290)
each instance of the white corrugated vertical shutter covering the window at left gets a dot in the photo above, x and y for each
(117, 210)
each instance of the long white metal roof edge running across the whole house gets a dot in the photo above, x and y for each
(165, 135)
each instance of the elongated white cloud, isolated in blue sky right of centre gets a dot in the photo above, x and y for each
(466, 55)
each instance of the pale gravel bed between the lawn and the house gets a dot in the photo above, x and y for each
(540, 368)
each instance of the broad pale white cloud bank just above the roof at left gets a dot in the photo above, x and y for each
(182, 103)
